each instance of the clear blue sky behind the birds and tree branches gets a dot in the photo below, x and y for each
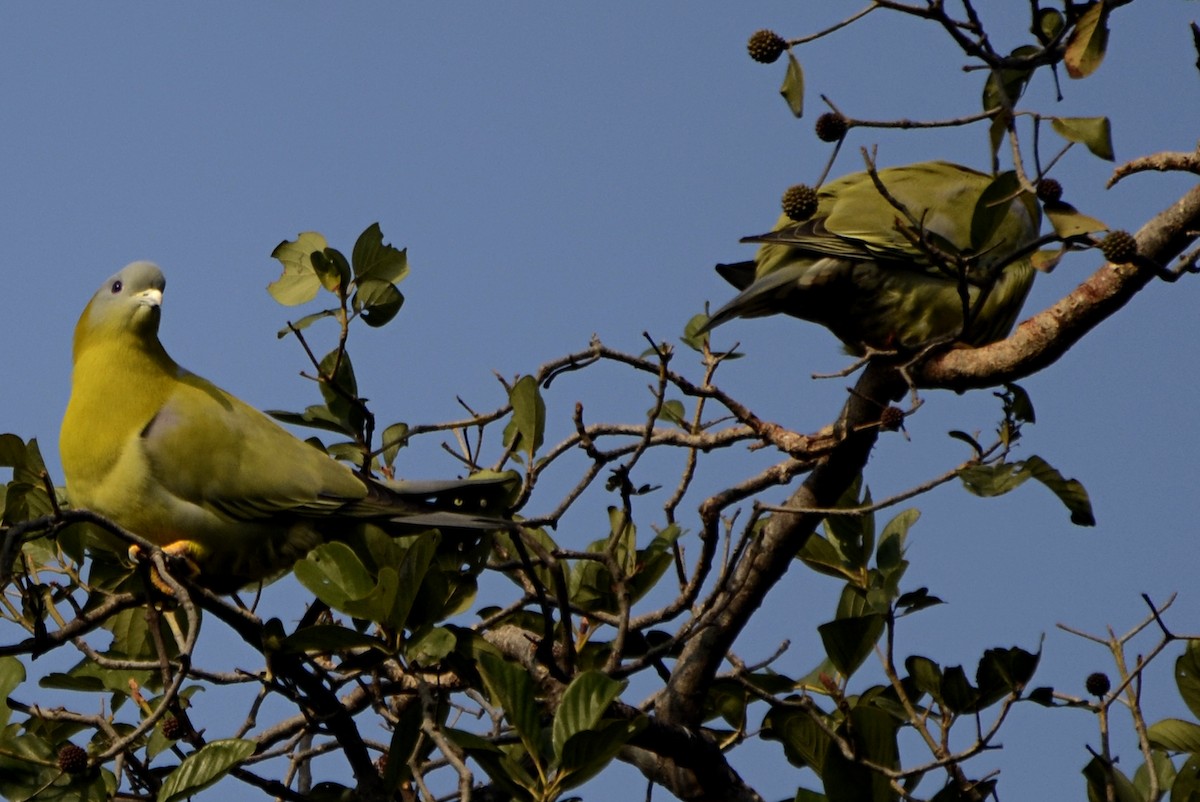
(565, 171)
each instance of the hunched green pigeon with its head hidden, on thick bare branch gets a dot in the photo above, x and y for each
(891, 274)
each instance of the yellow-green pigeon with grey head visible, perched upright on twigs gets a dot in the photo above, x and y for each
(188, 466)
